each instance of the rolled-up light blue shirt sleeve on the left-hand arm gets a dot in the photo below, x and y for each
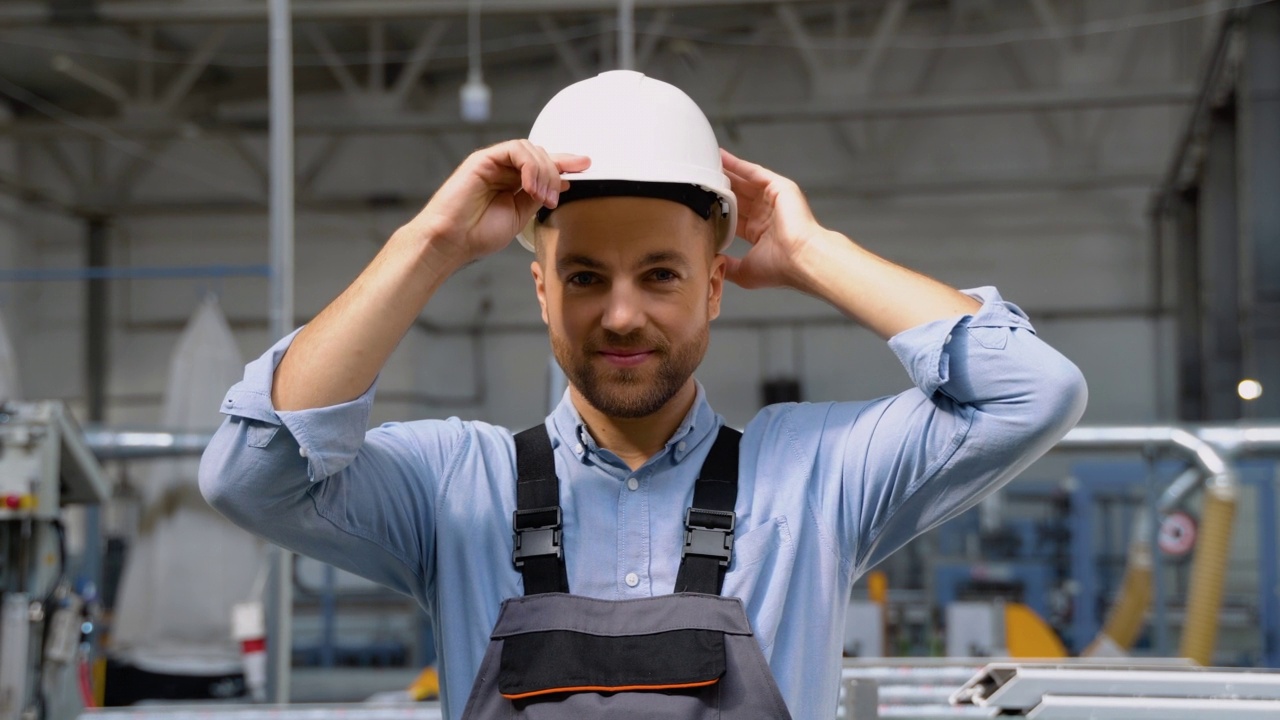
(318, 484)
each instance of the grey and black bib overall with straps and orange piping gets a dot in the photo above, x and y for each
(685, 657)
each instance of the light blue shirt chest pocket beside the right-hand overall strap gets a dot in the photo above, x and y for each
(764, 559)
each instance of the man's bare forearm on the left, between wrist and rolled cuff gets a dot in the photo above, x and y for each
(340, 354)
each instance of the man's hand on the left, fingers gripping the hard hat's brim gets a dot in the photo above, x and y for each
(492, 195)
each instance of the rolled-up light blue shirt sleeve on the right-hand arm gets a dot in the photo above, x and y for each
(990, 399)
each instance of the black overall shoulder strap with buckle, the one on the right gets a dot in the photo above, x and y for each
(710, 523)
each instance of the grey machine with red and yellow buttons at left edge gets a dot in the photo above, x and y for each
(44, 466)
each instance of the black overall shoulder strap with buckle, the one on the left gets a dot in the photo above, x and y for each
(538, 553)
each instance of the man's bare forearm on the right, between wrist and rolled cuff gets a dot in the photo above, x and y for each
(880, 295)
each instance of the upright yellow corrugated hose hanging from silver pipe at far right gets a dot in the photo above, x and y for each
(1209, 575)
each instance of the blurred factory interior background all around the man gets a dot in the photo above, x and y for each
(185, 183)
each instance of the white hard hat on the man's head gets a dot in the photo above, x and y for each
(639, 130)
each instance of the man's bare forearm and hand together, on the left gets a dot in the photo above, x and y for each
(476, 213)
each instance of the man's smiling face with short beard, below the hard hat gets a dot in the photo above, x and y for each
(629, 288)
